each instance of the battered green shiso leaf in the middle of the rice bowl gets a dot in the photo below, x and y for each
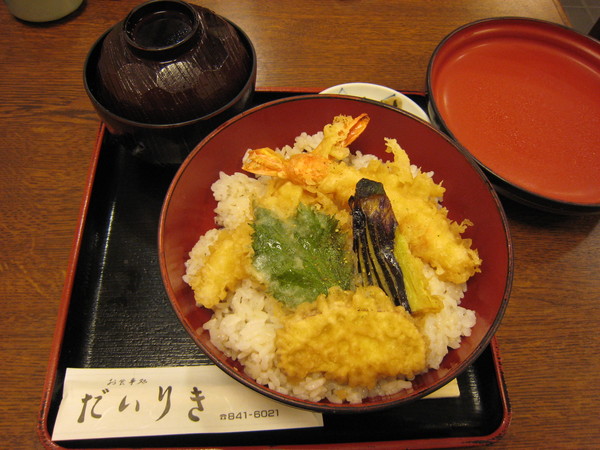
(301, 257)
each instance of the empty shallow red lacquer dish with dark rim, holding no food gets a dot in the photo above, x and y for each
(523, 97)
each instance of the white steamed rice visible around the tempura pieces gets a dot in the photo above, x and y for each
(244, 326)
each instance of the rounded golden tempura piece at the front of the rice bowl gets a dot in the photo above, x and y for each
(354, 338)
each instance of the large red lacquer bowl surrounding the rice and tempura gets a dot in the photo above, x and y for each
(188, 212)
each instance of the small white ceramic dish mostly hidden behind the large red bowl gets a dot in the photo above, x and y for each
(379, 93)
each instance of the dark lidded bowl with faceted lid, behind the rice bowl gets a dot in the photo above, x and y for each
(167, 75)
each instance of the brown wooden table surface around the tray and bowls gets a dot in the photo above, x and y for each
(548, 339)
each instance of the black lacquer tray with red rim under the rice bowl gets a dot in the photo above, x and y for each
(115, 314)
